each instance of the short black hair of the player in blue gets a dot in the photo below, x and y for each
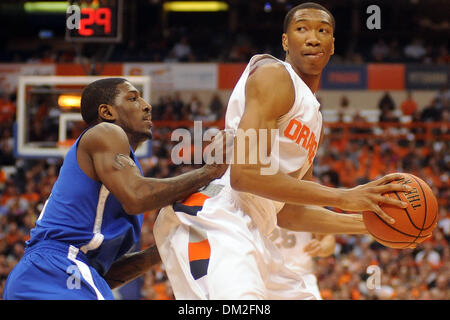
(102, 91)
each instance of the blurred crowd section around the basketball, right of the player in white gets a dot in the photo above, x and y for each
(421, 273)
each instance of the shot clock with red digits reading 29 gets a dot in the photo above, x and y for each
(99, 21)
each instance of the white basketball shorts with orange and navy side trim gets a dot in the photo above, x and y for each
(212, 250)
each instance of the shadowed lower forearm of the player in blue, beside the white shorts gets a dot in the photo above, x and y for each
(131, 266)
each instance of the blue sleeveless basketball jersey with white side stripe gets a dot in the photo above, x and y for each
(83, 213)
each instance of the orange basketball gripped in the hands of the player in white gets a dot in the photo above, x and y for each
(412, 224)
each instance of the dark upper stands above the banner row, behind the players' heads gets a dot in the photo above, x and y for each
(411, 31)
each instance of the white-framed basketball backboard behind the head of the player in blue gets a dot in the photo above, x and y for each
(47, 126)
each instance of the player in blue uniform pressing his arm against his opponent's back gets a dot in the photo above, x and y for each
(78, 248)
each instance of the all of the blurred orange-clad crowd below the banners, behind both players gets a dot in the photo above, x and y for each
(421, 273)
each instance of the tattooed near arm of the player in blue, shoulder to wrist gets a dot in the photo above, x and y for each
(108, 148)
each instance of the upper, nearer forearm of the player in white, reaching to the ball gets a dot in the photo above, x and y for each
(284, 188)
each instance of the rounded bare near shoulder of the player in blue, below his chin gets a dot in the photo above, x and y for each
(103, 135)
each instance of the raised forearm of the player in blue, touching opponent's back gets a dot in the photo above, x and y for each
(153, 194)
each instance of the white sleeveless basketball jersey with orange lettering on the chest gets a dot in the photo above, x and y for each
(297, 139)
